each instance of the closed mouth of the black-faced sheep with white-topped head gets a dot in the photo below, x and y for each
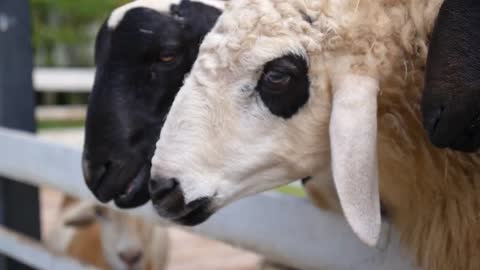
(136, 191)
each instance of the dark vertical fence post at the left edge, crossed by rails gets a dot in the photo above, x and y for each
(19, 208)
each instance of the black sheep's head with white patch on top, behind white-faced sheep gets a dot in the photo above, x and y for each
(142, 54)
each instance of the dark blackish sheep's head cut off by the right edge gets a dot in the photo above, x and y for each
(451, 98)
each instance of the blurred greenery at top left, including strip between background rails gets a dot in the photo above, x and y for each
(63, 35)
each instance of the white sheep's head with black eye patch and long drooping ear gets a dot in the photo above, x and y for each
(271, 99)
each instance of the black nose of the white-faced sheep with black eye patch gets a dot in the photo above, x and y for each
(167, 196)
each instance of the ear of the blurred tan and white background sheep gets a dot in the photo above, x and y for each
(80, 215)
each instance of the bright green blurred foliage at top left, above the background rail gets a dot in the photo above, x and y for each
(68, 23)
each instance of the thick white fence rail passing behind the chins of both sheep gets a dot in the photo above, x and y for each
(285, 229)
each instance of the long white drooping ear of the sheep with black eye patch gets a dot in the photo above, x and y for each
(353, 138)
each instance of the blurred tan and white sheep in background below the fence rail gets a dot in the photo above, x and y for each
(108, 239)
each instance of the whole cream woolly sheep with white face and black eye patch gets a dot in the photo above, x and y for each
(287, 89)
